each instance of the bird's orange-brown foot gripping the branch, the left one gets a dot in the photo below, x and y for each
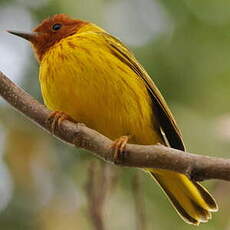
(55, 119)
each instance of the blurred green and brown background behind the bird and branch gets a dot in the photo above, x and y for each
(47, 185)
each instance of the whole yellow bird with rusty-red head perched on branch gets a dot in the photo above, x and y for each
(92, 77)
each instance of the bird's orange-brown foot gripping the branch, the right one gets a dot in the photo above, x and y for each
(118, 148)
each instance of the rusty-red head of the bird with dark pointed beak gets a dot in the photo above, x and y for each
(51, 31)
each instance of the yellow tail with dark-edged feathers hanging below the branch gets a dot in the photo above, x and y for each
(192, 201)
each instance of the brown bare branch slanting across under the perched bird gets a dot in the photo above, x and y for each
(195, 166)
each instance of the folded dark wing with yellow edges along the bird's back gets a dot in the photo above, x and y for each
(166, 119)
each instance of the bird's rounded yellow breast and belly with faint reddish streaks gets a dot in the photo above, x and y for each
(84, 80)
